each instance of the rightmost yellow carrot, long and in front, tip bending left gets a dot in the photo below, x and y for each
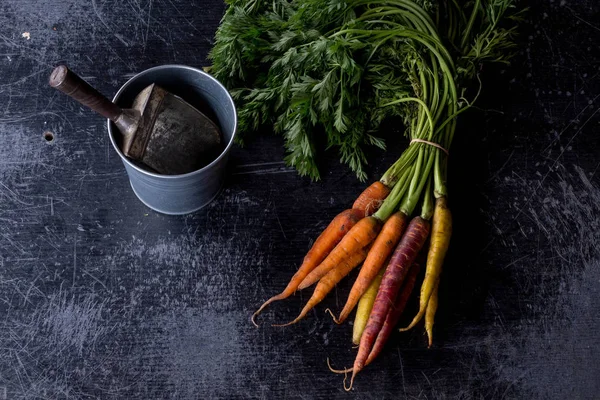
(441, 231)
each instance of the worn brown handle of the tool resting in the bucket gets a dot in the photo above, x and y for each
(65, 80)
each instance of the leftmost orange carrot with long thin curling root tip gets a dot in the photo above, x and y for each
(328, 239)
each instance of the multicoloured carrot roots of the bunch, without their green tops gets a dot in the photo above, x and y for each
(388, 250)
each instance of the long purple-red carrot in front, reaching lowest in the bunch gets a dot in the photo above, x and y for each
(402, 259)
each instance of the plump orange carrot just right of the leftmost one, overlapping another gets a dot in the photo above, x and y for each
(359, 236)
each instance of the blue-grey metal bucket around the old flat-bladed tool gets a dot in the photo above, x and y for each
(185, 193)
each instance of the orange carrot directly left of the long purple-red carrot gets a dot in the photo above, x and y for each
(382, 248)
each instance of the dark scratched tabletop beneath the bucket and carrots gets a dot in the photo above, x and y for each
(102, 298)
